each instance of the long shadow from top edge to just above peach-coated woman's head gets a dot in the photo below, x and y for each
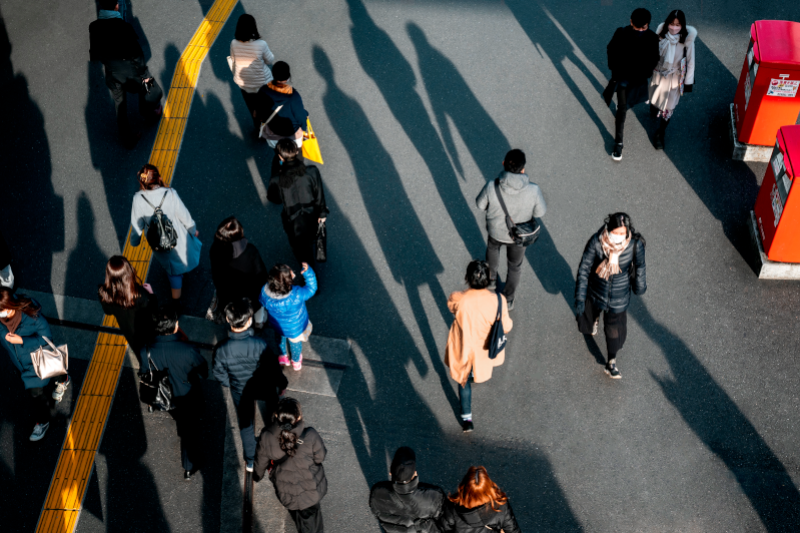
(385, 64)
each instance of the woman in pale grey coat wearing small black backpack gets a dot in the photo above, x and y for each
(153, 194)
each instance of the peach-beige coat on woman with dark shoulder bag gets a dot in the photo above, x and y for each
(475, 311)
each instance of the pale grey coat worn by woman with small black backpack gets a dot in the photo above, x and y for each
(186, 254)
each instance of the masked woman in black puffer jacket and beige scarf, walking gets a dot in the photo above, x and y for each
(613, 263)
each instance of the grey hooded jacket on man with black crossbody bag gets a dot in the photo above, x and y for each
(523, 199)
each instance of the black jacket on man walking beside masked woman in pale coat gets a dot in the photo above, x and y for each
(632, 55)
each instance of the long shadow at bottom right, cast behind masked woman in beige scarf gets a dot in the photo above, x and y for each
(716, 420)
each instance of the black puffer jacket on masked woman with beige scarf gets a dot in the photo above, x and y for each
(614, 294)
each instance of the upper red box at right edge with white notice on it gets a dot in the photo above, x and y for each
(767, 95)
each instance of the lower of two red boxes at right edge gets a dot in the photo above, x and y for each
(777, 207)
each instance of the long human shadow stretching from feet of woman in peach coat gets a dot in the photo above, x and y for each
(412, 259)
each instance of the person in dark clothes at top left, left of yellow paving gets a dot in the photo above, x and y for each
(113, 41)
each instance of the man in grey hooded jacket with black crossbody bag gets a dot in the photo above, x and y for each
(524, 201)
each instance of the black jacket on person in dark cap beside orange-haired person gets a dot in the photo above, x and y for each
(415, 507)
